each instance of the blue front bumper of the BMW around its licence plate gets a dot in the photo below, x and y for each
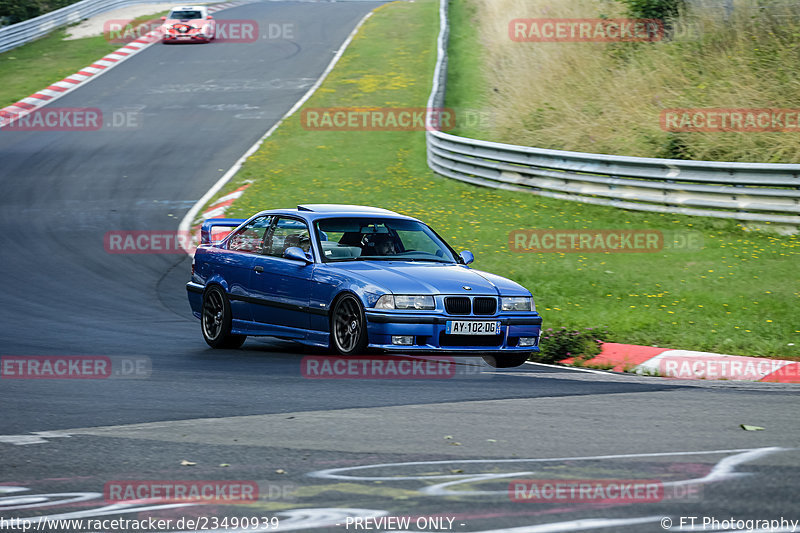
(429, 332)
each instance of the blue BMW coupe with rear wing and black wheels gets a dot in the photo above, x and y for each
(351, 279)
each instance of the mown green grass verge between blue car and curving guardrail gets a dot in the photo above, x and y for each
(737, 295)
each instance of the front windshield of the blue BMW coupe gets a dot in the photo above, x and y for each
(380, 239)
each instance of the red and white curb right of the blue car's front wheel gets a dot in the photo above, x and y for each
(686, 364)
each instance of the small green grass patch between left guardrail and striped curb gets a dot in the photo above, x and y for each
(38, 64)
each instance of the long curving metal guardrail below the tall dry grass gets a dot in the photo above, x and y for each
(757, 192)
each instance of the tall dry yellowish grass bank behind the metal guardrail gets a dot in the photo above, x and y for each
(608, 97)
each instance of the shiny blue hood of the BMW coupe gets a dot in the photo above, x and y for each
(402, 277)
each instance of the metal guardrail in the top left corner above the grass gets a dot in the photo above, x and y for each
(29, 30)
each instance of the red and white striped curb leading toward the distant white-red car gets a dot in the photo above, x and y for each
(17, 110)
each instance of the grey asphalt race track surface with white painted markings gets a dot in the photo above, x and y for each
(199, 108)
